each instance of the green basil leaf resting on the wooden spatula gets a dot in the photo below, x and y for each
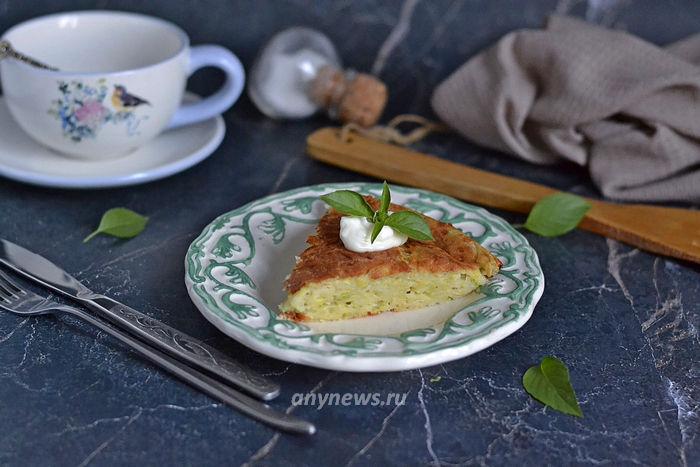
(557, 214)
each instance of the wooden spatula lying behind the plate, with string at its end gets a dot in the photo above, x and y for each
(666, 231)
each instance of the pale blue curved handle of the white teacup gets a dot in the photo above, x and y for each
(216, 104)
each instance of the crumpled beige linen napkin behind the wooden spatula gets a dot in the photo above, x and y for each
(627, 109)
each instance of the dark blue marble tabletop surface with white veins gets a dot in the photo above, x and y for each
(626, 322)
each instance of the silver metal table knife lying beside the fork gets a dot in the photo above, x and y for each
(160, 335)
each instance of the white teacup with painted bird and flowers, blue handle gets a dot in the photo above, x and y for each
(121, 82)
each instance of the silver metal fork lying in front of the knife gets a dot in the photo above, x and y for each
(24, 302)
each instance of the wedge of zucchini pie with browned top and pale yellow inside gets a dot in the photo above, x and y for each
(330, 282)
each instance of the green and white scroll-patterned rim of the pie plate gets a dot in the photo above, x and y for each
(219, 261)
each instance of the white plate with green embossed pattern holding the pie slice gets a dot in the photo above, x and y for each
(236, 268)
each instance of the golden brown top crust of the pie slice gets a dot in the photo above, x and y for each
(327, 258)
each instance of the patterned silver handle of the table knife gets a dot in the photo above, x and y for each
(182, 346)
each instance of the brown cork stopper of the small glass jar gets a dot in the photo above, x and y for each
(348, 96)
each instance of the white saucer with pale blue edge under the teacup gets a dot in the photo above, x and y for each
(25, 160)
